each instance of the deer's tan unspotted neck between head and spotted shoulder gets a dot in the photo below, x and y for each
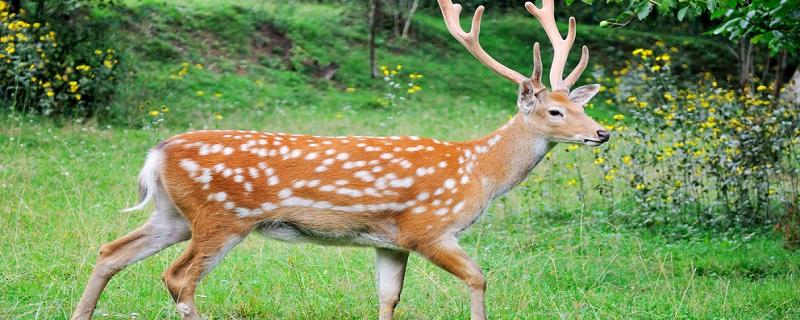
(503, 159)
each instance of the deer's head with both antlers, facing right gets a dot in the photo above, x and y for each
(558, 115)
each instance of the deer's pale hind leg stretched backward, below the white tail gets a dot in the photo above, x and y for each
(165, 227)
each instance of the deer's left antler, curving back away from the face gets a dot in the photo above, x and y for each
(470, 39)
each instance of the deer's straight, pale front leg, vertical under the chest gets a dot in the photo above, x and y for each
(390, 271)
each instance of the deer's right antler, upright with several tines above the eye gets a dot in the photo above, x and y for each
(560, 47)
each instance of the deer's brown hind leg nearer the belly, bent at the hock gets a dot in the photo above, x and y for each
(205, 251)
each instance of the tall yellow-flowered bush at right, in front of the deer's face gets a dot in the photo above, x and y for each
(697, 155)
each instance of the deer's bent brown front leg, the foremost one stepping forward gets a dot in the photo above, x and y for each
(449, 256)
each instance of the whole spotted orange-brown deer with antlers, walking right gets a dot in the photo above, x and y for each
(396, 194)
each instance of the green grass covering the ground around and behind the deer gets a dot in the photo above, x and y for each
(548, 249)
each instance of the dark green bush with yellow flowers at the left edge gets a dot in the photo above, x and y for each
(55, 61)
